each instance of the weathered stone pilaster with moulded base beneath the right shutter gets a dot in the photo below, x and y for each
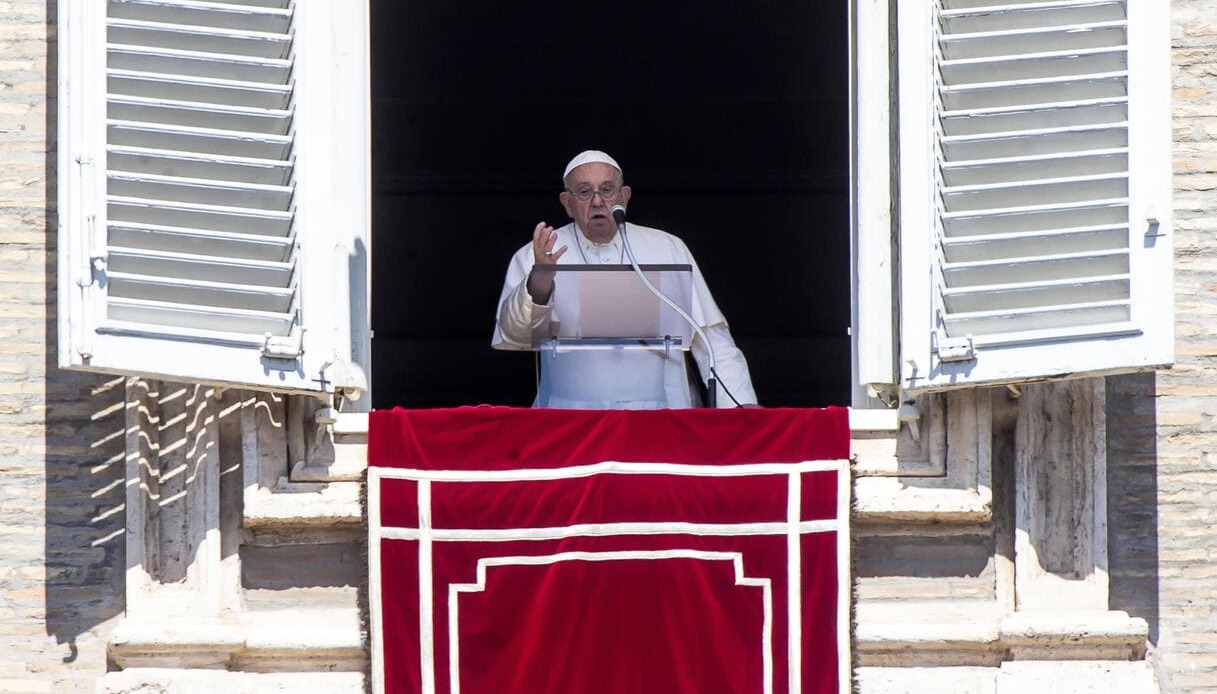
(1062, 536)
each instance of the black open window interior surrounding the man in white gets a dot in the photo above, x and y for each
(731, 121)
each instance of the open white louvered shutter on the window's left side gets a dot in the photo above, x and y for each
(200, 197)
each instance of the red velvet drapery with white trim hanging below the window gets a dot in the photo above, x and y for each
(524, 551)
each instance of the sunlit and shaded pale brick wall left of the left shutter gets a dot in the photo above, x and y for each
(61, 449)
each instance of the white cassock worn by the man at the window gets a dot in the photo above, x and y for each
(620, 379)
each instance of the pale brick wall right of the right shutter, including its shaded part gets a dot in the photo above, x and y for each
(1163, 444)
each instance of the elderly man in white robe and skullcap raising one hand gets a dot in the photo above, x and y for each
(612, 379)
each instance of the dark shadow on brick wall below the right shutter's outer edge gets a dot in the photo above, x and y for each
(1132, 497)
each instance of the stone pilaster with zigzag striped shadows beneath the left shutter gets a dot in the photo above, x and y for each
(177, 580)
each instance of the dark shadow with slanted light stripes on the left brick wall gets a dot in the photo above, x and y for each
(83, 452)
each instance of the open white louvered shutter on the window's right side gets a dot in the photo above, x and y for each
(1035, 189)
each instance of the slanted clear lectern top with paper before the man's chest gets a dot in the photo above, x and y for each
(610, 304)
